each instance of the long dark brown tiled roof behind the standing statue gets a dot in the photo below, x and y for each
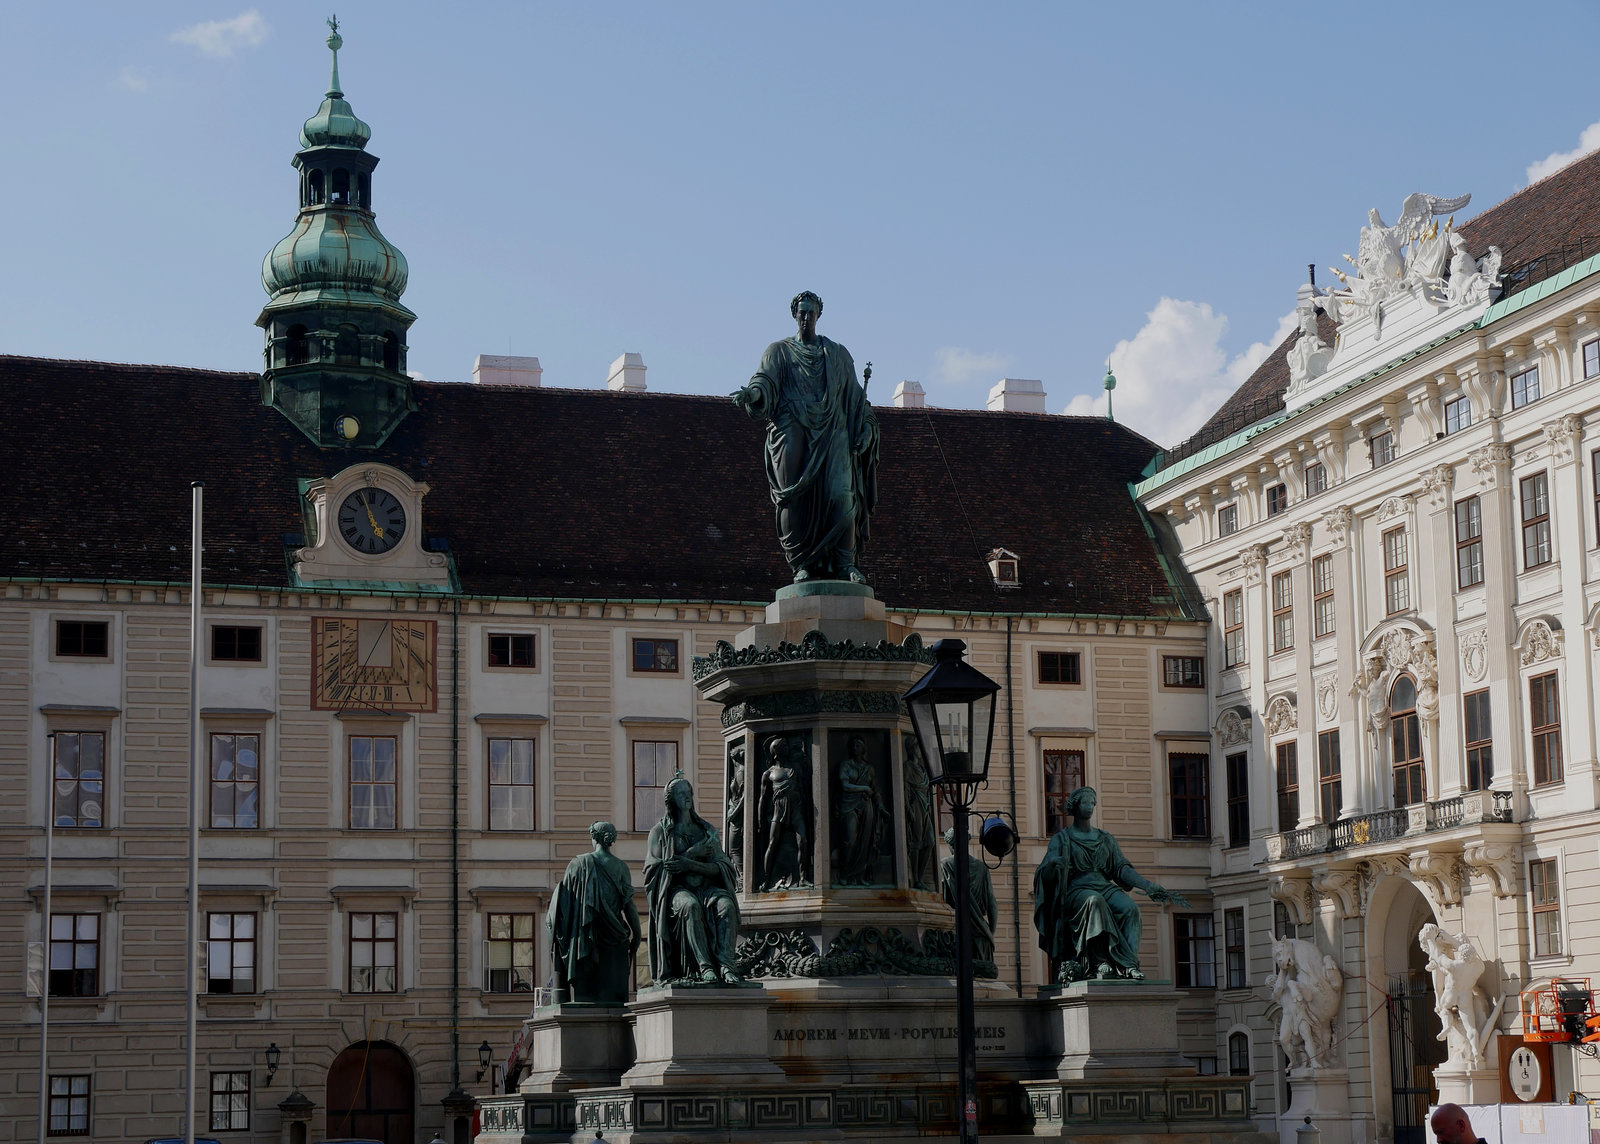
(564, 494)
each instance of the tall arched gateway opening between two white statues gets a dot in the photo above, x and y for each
(1415, 1047)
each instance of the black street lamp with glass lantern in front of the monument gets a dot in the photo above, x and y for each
(953, 710)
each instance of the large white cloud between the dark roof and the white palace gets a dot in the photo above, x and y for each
(1175, 374)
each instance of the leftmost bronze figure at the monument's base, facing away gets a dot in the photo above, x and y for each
(594, 927)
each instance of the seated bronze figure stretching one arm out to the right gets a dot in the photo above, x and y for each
(1086, 918)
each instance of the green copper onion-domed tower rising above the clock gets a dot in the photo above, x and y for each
(337, 330)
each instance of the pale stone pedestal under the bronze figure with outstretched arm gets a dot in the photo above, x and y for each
(1106, 1030)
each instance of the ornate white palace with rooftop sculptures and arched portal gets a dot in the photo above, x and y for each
(1396, 527)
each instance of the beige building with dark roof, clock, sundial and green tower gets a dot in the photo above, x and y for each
(449, 626)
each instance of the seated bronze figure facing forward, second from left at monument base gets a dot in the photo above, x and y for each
(690, 886)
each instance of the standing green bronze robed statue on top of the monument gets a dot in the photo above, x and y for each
(822, 447)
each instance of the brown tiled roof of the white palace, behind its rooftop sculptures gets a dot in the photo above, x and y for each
(1554, 214)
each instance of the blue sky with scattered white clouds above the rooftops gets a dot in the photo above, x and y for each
(977, 191)
